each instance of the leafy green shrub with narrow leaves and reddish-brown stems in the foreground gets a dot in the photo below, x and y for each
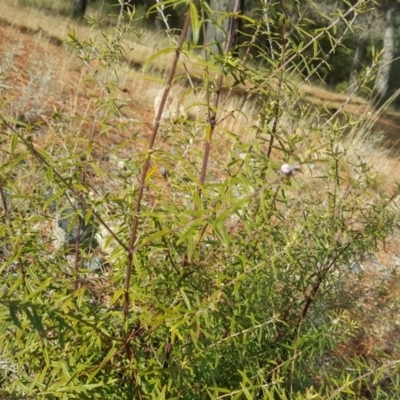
(224, 272)
